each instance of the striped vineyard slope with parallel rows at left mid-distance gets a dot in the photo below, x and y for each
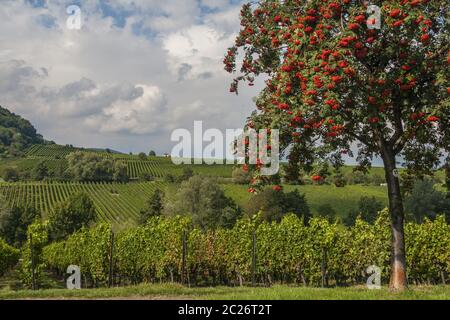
(116, 203)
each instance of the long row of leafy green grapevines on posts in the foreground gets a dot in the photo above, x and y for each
(319, 253)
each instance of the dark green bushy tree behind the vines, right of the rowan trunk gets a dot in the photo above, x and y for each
(425, 201)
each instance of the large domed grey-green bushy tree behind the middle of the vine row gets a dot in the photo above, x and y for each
(204, 200)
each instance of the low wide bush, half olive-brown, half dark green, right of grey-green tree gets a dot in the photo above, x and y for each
(274, 204)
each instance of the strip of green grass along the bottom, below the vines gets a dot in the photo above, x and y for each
(158, 292)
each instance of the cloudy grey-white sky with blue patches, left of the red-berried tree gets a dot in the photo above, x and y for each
(137, 69)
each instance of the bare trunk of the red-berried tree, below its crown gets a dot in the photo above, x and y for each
(398, 281)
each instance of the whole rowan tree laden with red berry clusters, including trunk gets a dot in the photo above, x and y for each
(335, 81)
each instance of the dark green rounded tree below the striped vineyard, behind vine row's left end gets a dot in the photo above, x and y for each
(71, 215)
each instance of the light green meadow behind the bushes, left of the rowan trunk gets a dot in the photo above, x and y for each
(341, 199)
